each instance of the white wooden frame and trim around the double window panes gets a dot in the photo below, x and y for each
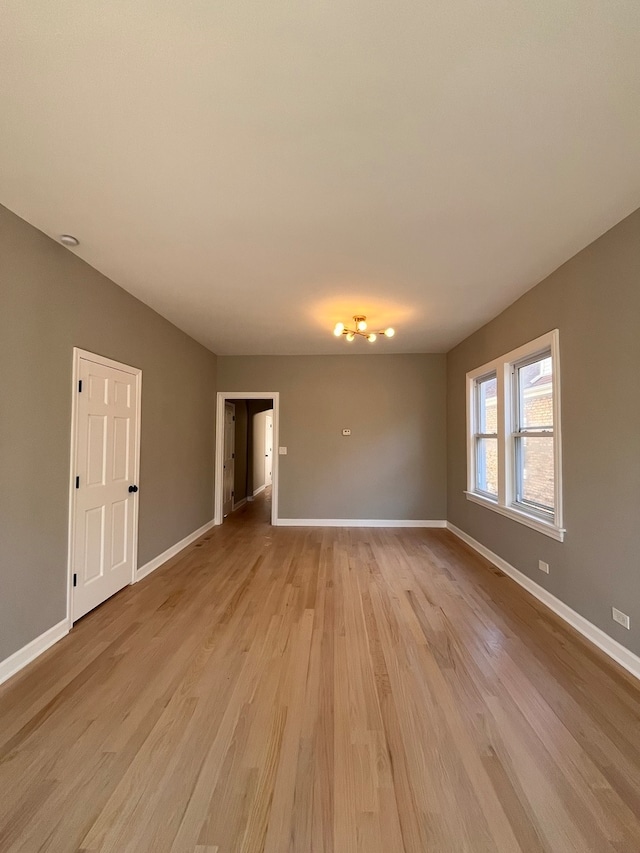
(548, 523)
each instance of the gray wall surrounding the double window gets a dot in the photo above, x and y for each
(594, 300)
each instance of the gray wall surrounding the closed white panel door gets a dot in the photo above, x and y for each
(51, 301)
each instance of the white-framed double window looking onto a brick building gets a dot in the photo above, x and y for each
(513, 434)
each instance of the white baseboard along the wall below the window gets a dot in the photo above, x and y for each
(611, 647)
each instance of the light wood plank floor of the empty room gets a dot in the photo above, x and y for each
(321, 690)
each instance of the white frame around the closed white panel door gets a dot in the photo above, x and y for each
(79, 354)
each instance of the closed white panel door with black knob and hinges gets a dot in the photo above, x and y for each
(106, 462)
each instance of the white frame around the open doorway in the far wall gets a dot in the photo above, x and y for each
(223, 398)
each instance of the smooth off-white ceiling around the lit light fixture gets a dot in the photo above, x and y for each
(257, 171)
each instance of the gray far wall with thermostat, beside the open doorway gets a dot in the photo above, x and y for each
(392, 466)
